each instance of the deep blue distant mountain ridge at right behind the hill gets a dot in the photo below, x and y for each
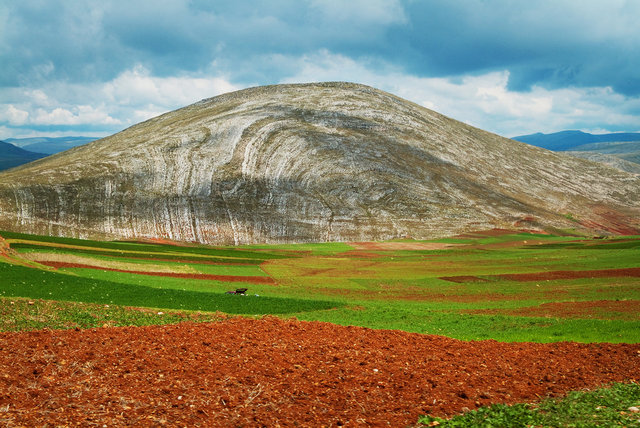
(569, 140)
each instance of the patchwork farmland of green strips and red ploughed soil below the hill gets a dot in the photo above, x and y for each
(497, 285)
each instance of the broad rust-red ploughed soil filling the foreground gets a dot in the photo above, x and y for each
(273, 372)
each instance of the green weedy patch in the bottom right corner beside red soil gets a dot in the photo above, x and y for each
(602, 407)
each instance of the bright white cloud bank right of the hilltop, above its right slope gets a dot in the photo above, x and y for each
(483, 100)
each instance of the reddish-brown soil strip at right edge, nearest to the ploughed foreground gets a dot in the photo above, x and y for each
(600, 309)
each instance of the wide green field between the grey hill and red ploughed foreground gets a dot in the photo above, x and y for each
(407, 289)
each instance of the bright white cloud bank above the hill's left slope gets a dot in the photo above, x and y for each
(133, 96)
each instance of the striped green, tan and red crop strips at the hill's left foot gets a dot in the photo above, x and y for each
(132, 274)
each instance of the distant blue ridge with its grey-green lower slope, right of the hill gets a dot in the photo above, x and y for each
(621, 150)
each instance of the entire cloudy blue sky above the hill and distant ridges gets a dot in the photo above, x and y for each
(512, 67)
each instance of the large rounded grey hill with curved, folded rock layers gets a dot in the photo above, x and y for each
(311, 162)
